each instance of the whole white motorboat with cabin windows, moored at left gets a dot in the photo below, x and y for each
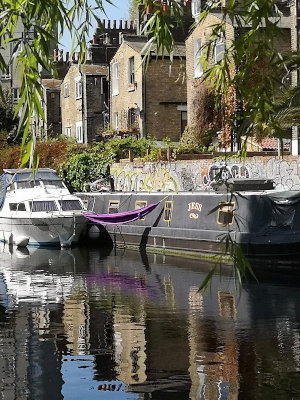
(36, 208)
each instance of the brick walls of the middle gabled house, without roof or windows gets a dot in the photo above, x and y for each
(157, 98)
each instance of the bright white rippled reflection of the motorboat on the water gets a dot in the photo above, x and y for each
(28, 275)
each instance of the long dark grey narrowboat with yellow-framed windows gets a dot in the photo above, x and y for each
(247, 212)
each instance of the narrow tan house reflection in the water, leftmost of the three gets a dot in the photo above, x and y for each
(76, 322)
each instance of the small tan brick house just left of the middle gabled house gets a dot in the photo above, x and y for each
(84, 99)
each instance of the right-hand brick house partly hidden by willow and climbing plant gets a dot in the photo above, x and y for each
(197, 40)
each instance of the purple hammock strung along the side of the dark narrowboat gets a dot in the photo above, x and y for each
(121, 218)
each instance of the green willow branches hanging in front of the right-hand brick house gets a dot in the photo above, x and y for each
(252, 66)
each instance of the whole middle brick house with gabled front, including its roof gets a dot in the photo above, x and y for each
(152, 101)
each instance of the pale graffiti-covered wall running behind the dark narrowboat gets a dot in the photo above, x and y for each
(202, 174)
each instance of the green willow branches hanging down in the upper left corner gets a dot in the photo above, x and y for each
(31, 52)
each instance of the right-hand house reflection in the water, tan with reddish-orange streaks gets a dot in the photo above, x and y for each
(213, 358)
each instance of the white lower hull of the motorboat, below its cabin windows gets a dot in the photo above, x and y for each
(53, 231)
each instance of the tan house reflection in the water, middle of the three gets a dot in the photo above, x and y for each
(130, 347)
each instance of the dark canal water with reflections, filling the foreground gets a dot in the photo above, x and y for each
(94, 324)
